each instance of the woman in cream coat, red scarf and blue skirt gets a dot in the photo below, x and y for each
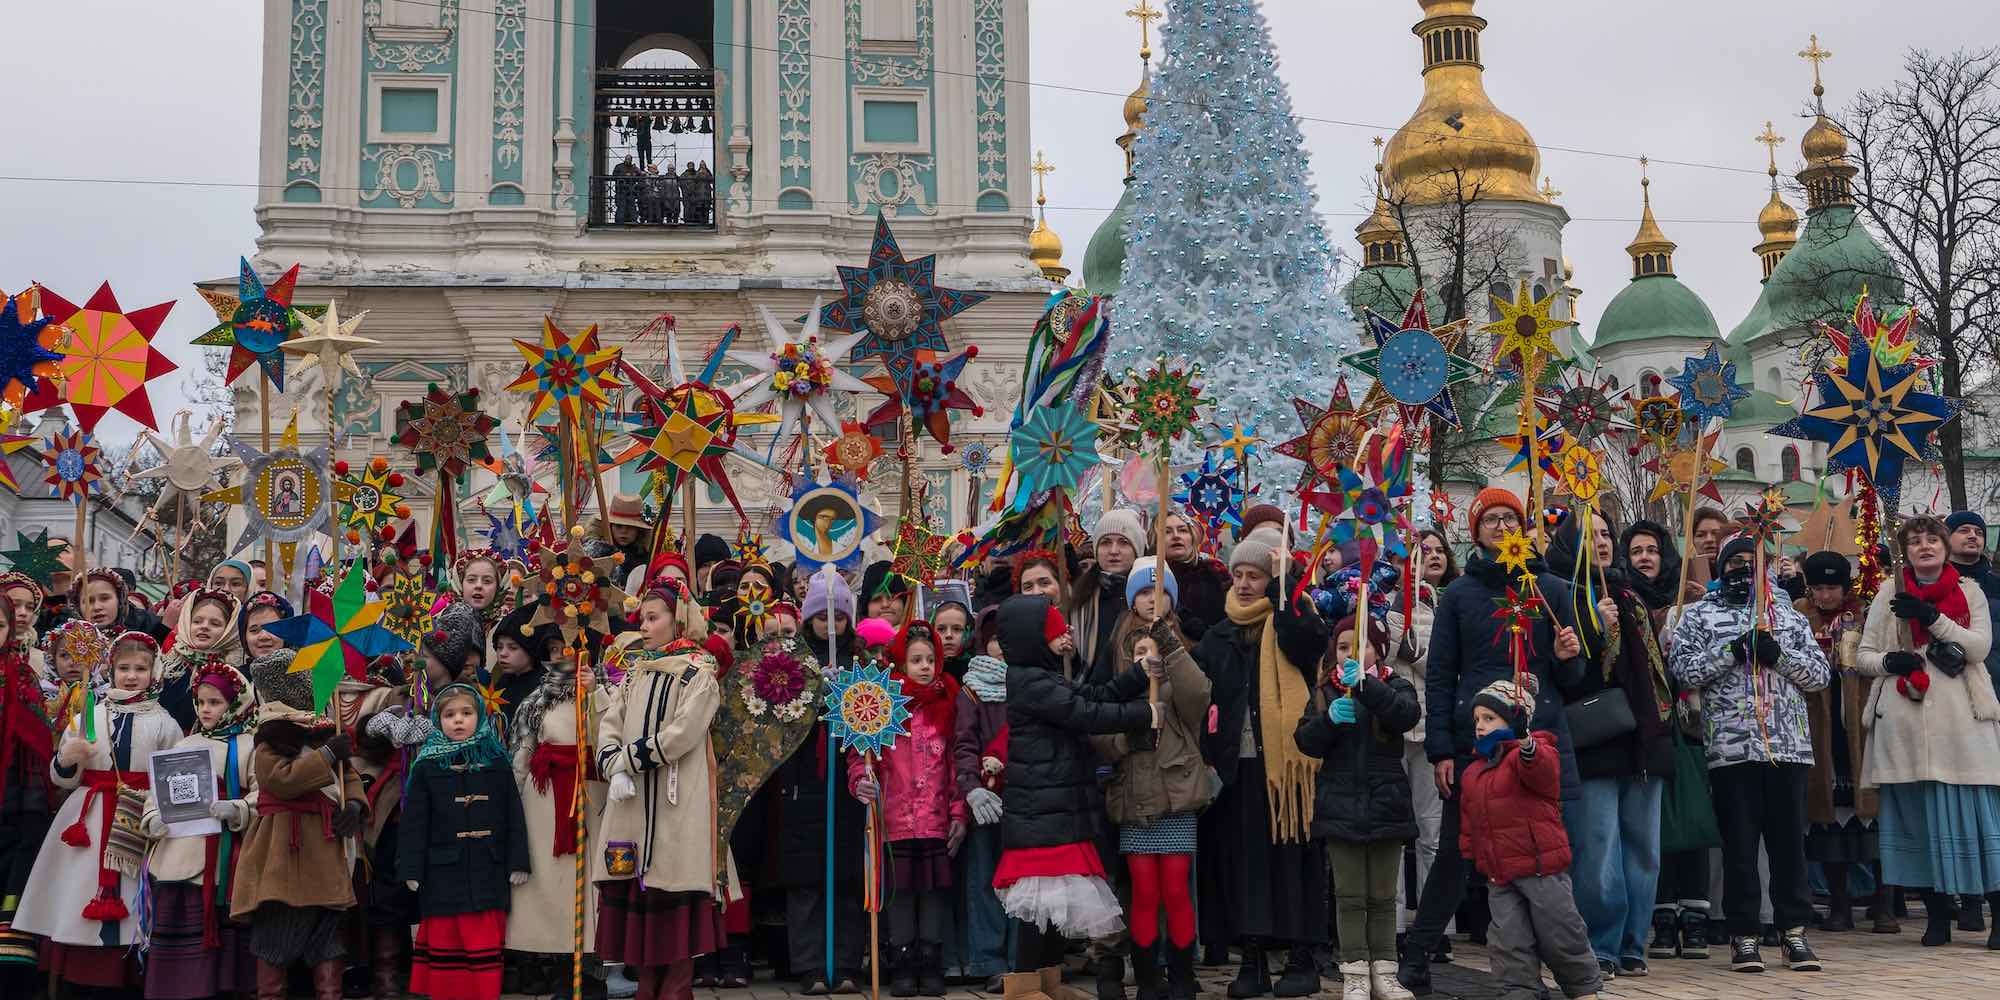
(1933, 731)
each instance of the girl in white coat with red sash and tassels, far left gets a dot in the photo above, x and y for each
(83, 893)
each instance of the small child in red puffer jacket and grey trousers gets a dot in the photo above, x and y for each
(1511, 827)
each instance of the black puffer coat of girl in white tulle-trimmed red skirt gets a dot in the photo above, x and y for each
(1053, 795)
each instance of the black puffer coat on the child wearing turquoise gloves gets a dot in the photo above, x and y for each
(1363, 793)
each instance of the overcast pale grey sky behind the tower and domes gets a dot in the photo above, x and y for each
(123, 89)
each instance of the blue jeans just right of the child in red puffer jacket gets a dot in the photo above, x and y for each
(1615, 849)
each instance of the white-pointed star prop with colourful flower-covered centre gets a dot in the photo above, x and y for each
(801, 375)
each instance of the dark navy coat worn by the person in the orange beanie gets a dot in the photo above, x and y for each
(1465, 657)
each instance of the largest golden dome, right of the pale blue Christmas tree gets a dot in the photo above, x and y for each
(1457, 137)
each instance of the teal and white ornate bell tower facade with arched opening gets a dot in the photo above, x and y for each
(461, 171)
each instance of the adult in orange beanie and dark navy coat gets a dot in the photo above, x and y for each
(1467, 655)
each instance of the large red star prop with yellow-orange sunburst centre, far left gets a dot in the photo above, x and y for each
(107, 363)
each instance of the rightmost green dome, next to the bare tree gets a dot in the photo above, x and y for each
(1821, 277)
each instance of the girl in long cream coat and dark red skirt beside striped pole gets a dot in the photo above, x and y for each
(661, 855)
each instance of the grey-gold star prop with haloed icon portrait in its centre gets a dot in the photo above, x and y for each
(287, 495)
